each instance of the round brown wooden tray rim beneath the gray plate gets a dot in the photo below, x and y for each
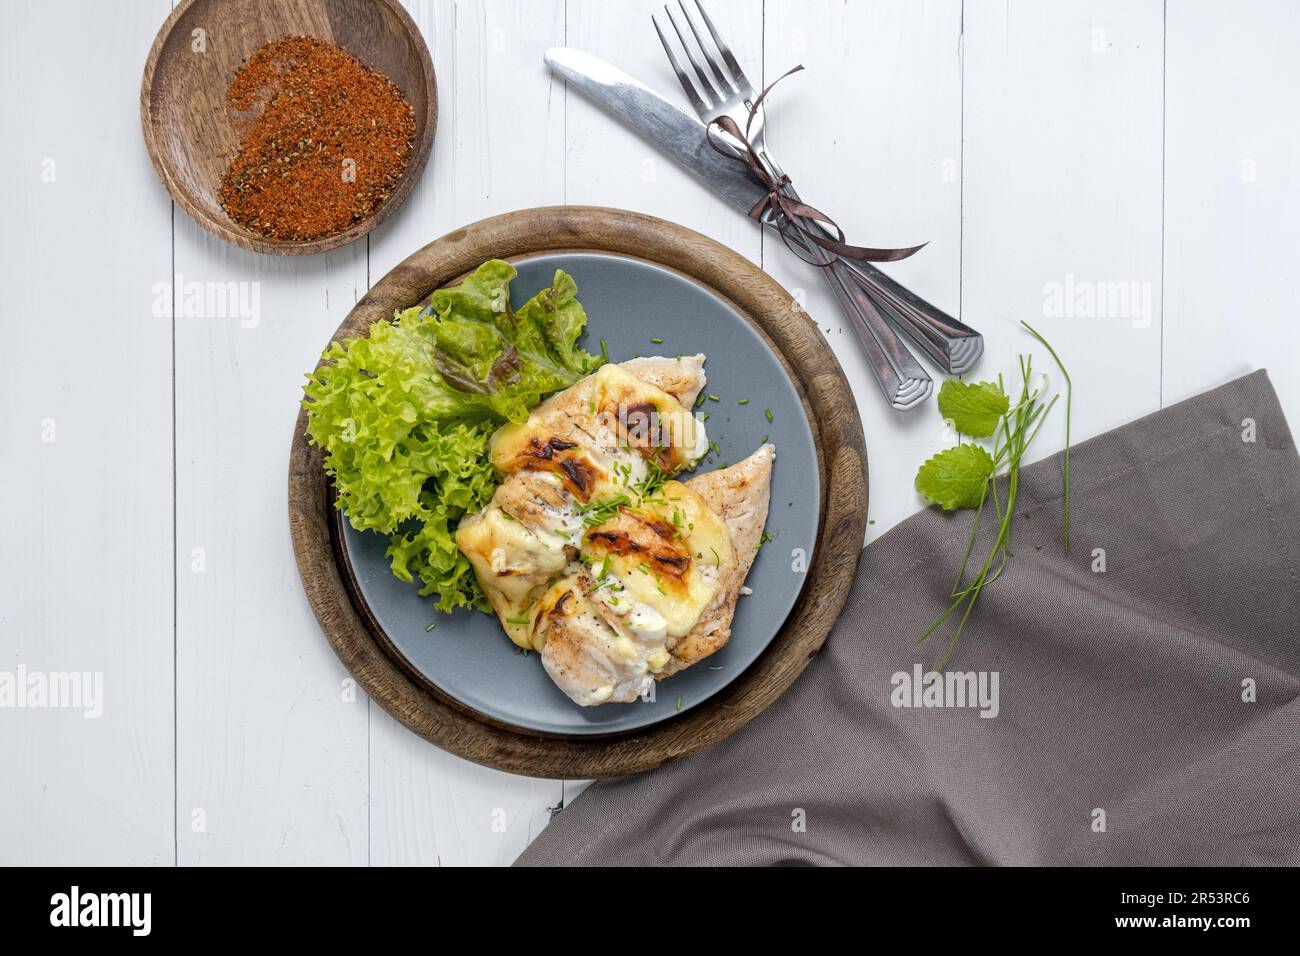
(843, 466)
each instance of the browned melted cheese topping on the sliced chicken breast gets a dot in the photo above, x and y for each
(653, 564)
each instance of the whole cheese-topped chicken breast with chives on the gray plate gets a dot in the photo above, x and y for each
(592, 557)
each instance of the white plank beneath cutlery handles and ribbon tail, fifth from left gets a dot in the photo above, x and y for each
(872, 135)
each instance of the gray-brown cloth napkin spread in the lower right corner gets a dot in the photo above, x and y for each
(1146, 707)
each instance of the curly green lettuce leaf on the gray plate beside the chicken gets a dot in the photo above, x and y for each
(405, 416)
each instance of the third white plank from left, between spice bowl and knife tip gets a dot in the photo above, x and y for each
(500, 148)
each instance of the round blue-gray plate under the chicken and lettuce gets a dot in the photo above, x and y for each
(469, 656)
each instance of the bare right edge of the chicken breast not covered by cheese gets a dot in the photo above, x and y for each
(739, 496)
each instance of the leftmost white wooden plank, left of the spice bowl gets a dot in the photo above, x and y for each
(86, 569)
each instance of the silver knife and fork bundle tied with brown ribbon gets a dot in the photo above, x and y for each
(725, 145)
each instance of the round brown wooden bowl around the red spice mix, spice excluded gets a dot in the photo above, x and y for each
(190, 133)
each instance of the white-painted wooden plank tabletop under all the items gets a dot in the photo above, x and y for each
(1137, 154)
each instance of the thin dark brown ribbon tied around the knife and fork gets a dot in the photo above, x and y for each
(791, 214)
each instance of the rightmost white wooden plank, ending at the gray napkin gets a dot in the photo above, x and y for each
(1232, 200)
